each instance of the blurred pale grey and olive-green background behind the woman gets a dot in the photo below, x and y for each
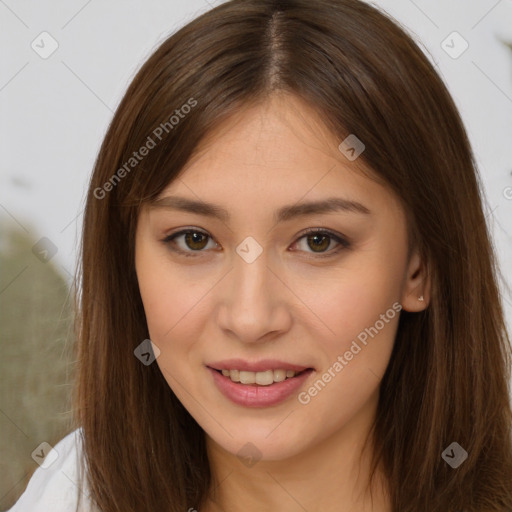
(64, 67)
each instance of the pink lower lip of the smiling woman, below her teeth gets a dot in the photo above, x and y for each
(253, 395)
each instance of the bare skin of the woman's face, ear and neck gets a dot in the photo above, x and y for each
(290, 304)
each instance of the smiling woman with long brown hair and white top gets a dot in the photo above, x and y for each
(288, 295)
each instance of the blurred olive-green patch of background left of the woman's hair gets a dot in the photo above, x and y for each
(37, 361)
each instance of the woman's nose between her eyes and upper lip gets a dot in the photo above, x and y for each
(253, 302)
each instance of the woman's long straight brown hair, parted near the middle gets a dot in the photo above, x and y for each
(447, 379)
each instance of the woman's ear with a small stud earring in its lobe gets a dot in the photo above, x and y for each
(416, 287)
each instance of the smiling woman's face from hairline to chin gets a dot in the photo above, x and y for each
(252, 284)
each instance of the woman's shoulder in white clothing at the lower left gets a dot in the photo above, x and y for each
(55, 483)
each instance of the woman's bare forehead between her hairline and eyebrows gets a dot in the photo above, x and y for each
(275, 153)
